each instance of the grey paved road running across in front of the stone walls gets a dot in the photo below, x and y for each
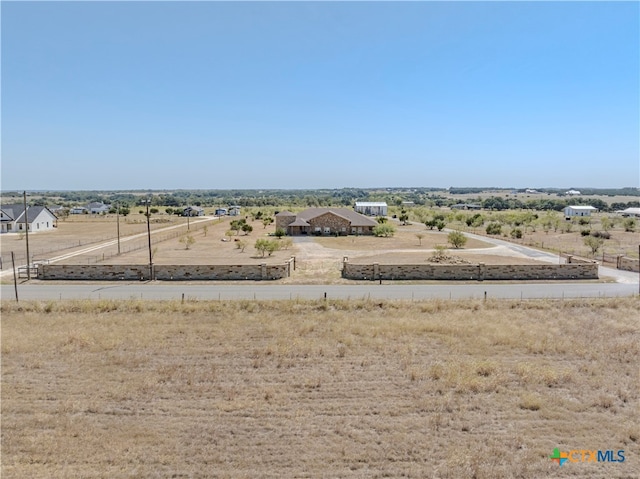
(261, 291)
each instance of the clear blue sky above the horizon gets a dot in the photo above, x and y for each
(137, 95)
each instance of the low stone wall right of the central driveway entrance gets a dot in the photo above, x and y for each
(476, 272)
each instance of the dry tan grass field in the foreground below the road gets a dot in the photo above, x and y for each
(321, 389)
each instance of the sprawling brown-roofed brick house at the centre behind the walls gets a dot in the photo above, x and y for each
(325, 221)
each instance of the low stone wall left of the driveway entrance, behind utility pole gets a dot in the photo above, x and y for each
(95, 272)
